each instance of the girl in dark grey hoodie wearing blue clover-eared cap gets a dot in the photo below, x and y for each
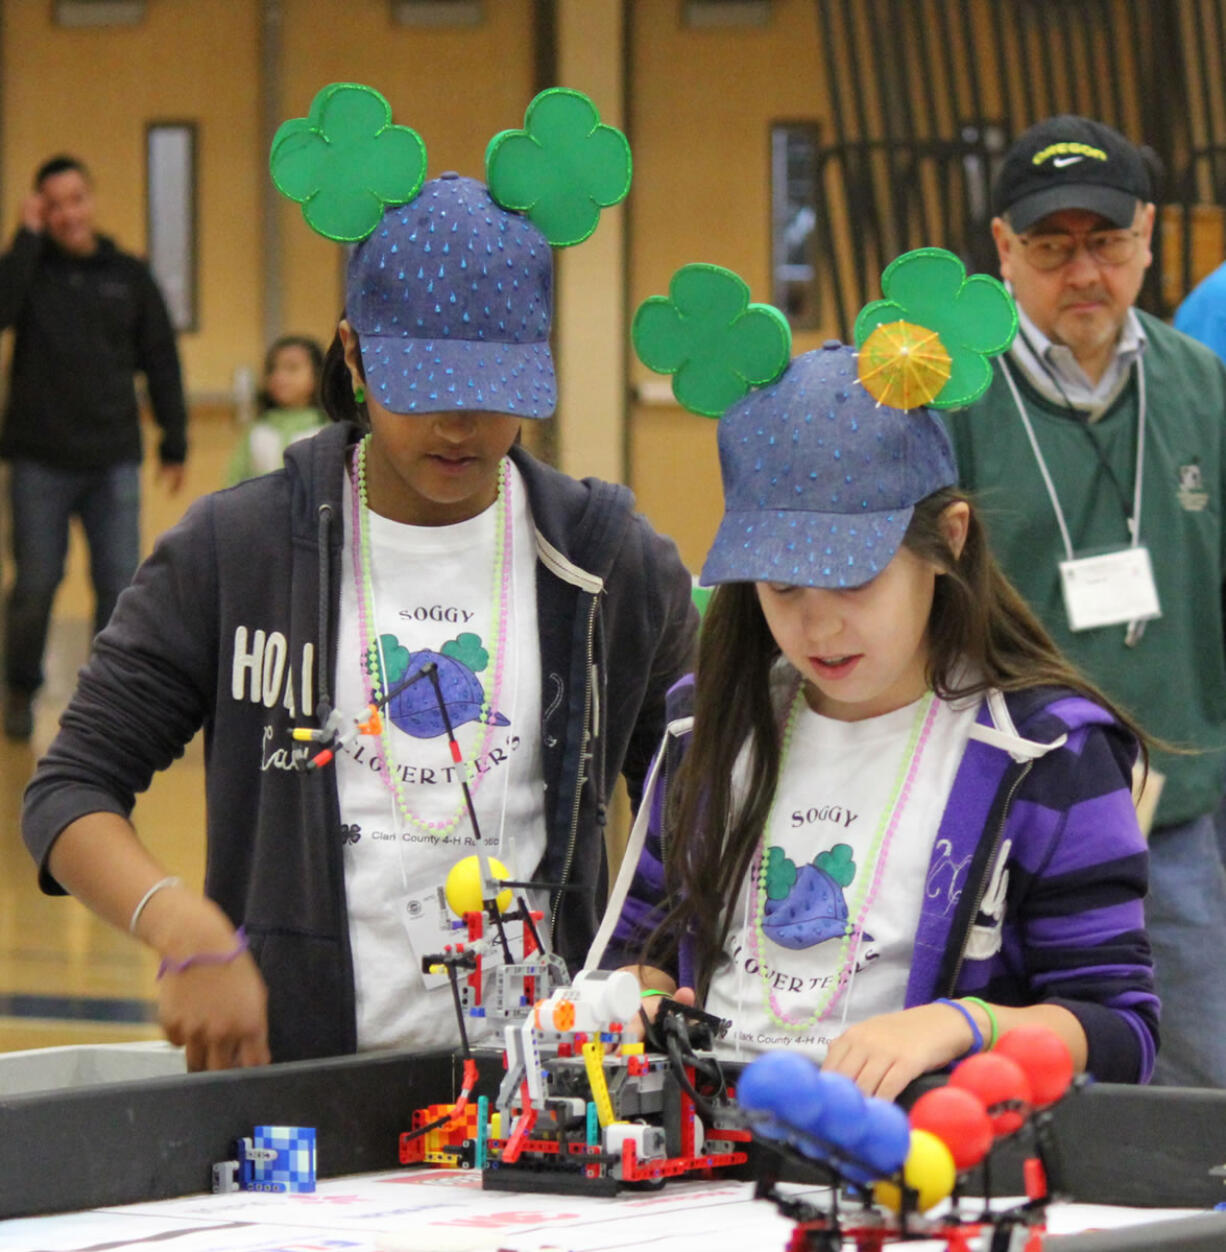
(414, 536)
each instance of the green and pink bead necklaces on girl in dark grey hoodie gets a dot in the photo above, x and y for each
(371, 655)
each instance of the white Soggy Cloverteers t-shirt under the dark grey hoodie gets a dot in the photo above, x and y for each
(435, 599)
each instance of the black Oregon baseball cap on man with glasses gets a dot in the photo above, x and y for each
(1070, 163)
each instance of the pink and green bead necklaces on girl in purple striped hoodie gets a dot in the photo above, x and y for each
(878, 853)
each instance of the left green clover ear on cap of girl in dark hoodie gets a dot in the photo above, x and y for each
(346, 162)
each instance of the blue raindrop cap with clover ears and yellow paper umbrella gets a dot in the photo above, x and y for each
(825, 464)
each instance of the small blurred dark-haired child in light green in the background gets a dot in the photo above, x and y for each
(290, 408)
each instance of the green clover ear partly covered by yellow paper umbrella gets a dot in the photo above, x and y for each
(974, 319)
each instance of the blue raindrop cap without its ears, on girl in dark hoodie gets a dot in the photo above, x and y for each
(451, 297)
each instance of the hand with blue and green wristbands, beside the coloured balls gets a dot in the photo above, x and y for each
(885, 1054)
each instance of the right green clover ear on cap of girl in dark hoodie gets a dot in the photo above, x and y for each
(563, 168)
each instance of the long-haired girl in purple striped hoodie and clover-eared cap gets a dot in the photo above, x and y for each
(899, 822)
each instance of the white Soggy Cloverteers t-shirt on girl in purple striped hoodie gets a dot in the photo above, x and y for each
(833, 861)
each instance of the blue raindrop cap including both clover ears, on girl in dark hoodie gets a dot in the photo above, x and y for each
(450, 287)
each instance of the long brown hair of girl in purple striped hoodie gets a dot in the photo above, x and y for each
(981, 635)
